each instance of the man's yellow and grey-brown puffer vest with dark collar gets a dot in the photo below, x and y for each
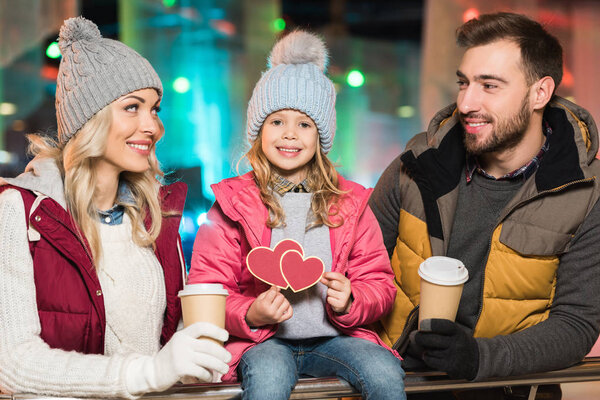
(535, 228)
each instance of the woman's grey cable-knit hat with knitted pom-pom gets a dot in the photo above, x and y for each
(94, 72)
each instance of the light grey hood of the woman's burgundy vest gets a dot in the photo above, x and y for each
(41, 175)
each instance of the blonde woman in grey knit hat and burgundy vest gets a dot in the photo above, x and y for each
(90, 257)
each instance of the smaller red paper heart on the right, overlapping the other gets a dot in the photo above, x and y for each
(301, 273)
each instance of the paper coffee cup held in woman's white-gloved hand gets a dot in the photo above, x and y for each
(203, 302)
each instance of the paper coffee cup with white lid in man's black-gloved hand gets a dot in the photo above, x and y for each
(442, 280)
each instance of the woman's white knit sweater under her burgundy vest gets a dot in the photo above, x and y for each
(134, 295)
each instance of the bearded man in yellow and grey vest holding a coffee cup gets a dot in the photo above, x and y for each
(504, 180)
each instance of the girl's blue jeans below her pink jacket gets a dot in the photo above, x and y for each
(270, 370)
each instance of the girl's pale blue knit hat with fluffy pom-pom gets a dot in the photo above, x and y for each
(295, 80)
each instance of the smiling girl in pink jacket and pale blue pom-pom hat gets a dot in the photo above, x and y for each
(295, 193)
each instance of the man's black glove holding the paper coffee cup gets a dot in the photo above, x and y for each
(447, 347)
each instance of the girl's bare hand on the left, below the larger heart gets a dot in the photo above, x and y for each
(270, 307)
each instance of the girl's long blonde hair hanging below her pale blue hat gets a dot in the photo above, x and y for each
(321, 179)
